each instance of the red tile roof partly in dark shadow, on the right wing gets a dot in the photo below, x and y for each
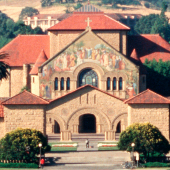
(149, 46)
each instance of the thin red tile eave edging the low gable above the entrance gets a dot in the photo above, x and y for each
(82, 88)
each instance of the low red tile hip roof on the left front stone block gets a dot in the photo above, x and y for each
(25, 98)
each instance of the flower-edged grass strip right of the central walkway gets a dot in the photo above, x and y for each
(105, 146)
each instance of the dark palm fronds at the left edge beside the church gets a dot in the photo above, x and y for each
(4, 73)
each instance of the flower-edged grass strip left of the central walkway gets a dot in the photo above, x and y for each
(63, 148)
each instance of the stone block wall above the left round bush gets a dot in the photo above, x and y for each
(24, 116)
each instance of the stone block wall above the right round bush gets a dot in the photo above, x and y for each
(156, 114)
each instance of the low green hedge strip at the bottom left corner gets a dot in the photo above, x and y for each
(18, 165)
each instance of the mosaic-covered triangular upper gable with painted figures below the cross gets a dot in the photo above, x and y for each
(88, 48)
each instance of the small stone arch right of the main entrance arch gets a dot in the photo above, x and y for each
(121, 117)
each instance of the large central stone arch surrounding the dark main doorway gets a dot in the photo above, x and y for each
(102, 121)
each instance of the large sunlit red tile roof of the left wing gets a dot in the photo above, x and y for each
(25, 49)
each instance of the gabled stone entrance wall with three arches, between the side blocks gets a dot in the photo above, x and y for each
(67, 110)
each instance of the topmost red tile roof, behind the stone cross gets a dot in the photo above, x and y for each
(100, 21)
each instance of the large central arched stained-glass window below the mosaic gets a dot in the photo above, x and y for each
(88, 76)
